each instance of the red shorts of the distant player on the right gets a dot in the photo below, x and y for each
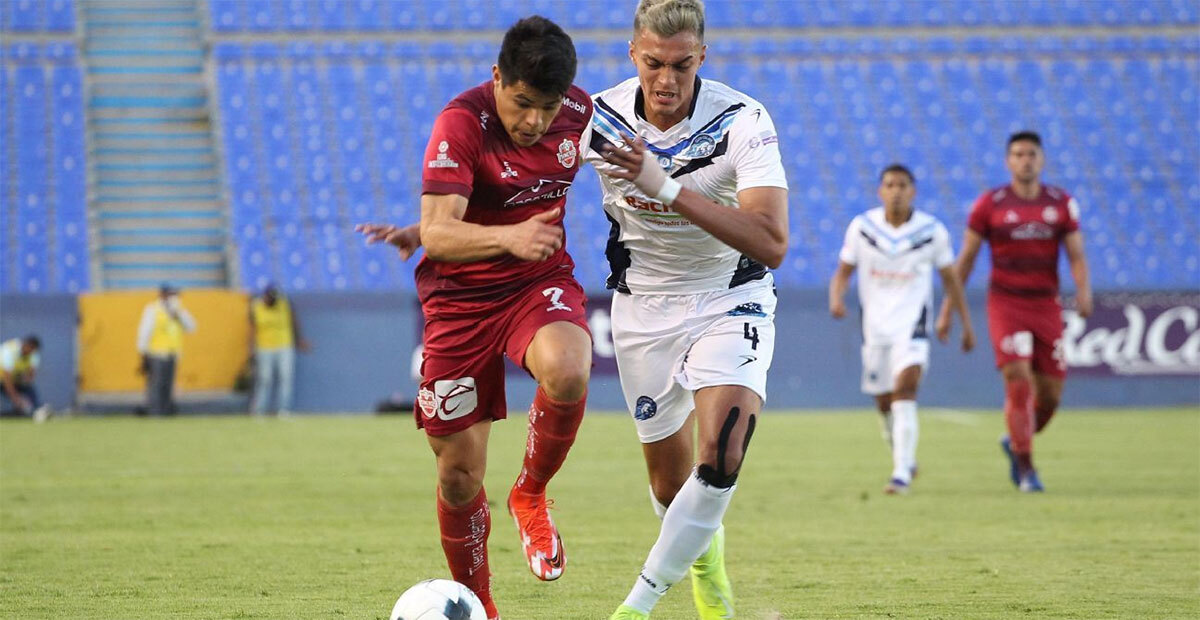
(1028, 329)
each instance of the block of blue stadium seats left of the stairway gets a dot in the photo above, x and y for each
(44, 238)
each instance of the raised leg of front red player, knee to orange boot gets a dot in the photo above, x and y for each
(560, 358)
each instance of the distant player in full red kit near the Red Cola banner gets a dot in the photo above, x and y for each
(1025, 222)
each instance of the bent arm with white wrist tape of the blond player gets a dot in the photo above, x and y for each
(758, 230)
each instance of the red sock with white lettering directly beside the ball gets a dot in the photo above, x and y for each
(465, 532)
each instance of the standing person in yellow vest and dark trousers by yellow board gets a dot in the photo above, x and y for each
(161, 344)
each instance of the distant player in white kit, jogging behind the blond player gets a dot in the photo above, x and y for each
(896, 250)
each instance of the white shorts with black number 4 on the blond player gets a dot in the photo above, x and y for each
(670, 346)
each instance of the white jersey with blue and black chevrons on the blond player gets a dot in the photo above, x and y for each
(727, 145)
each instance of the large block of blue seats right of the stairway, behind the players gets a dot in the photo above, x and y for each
(321, 137)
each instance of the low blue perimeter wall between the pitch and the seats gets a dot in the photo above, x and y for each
(364, 344)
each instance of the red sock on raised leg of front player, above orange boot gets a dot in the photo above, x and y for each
(553, 428)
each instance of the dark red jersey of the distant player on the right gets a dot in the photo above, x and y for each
(1024, 237)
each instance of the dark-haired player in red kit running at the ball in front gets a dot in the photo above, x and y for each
(496, 281)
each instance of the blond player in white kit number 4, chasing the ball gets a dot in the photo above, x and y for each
(695, 190)
